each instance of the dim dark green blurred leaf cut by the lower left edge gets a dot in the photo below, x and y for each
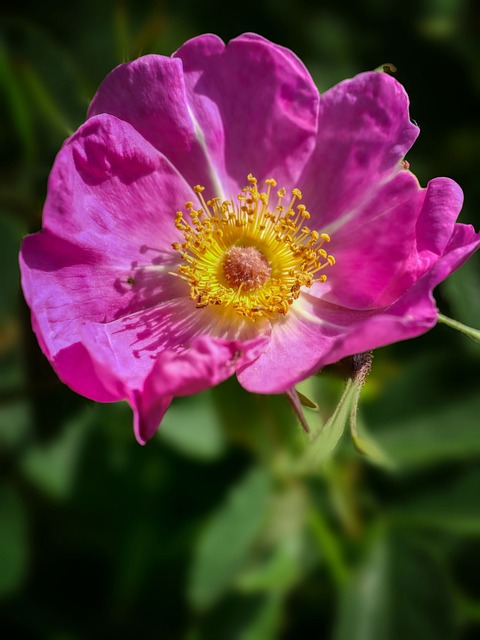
(13, 541)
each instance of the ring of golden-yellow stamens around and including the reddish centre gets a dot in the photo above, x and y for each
(248, 255)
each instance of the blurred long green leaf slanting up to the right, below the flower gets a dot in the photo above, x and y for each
(225, 543)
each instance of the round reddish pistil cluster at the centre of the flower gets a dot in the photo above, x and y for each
(246, 267)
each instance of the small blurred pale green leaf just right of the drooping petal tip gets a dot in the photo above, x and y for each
(192, 426)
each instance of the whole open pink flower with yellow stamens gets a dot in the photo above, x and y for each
(144, 286)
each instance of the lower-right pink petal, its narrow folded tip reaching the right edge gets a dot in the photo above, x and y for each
(316, 333)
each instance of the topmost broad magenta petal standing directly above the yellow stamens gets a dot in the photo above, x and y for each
(255, 105)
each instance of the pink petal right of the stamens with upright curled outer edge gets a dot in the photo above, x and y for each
(391, 242)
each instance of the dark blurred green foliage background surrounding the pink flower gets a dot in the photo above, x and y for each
(214, 530)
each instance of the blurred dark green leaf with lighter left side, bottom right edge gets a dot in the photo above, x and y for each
(398, 592)
